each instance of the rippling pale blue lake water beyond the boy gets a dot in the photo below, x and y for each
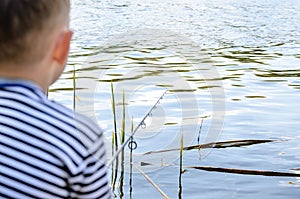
(255, 48)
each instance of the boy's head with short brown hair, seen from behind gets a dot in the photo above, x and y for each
(33, 32)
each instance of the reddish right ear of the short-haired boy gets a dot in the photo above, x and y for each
(62, 47)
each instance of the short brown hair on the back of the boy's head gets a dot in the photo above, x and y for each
(25, 25)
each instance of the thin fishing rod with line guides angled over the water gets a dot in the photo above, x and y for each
(141, 124)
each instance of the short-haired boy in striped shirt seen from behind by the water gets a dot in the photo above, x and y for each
(41, 150)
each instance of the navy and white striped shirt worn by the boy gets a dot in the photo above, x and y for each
(46, 150)
